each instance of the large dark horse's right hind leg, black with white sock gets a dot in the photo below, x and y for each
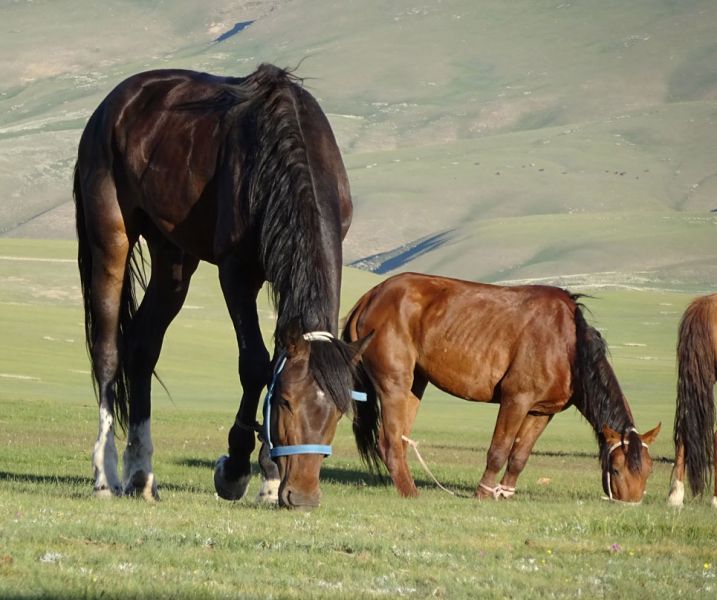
(167, 289)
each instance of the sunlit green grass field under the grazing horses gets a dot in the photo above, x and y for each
(555, 539)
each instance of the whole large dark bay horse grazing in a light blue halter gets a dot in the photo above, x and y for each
(243, 173)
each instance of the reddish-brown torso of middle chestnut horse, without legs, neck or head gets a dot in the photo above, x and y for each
(470, 338)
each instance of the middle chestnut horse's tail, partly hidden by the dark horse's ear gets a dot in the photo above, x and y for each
(367, 415)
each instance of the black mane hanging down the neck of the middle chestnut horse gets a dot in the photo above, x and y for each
(599, 397)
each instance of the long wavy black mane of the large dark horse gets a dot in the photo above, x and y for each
(285, 209)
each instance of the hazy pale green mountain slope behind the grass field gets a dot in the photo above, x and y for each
(491, 140)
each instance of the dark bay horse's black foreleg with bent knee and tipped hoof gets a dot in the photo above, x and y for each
(233, 472)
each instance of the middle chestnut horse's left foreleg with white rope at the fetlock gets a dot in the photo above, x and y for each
(511, 415)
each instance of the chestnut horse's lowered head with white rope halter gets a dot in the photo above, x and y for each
(627, 463)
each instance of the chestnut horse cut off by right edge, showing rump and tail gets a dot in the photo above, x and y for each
(695, 435)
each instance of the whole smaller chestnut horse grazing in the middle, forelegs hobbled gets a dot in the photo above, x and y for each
(527, 348)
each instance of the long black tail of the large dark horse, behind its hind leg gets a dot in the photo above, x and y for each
(128, 304)
